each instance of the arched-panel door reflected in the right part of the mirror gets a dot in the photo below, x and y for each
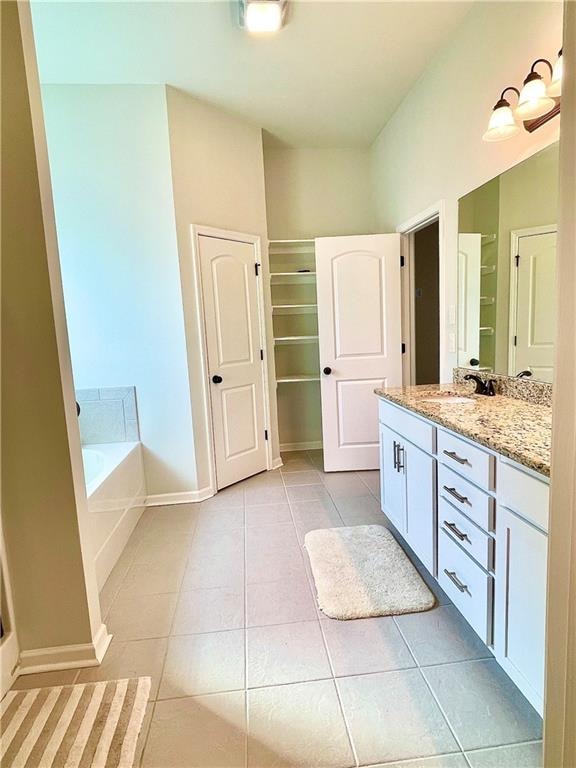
(535, 306)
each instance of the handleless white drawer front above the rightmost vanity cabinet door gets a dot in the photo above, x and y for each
(523, 493)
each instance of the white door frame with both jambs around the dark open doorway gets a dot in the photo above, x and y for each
(446, 213)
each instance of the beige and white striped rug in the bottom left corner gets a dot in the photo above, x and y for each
(73, 726)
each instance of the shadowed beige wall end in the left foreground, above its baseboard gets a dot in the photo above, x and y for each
(39, 505)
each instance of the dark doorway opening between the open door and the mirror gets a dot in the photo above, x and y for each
(425, 301)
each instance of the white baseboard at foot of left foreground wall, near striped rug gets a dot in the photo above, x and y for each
(66, 656)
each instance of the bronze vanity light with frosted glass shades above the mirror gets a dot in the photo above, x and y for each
(536, 103)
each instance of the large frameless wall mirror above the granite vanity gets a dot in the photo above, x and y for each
(507, 270)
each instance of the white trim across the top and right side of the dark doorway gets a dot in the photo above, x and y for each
(446, 212)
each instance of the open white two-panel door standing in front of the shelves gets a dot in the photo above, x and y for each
(359, 327)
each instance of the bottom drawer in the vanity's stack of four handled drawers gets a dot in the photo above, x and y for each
(466, 584)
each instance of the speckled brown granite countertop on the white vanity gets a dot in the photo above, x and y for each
(520, 430)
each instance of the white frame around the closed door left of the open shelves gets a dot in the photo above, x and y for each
(239, 237)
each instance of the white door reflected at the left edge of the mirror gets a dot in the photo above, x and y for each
(469, 263)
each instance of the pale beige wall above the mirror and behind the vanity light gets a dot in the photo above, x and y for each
(432, 147)
